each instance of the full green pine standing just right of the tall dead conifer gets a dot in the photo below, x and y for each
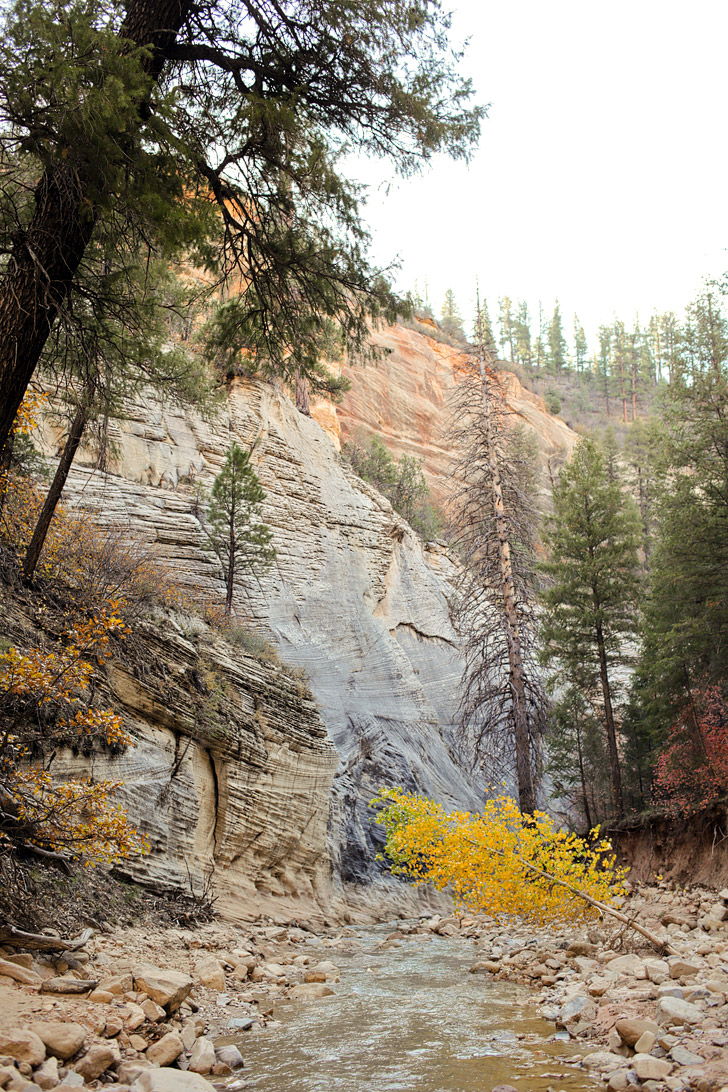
(590, 609)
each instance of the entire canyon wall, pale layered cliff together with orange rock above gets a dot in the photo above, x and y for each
(355, 600)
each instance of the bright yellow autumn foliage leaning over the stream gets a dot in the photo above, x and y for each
(499, 862)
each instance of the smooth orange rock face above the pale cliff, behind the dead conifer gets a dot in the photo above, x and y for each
(407, 399)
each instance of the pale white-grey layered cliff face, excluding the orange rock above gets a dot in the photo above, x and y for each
(354, 599)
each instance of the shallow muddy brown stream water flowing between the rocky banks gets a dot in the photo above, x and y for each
(411, 1019)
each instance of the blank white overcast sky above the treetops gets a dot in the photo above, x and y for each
(601, 179)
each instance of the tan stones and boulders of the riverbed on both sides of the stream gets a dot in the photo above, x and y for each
(157, 1011)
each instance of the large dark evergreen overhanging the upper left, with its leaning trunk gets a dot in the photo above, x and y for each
(141, 112)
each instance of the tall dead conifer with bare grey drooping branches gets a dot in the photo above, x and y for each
(494, 525)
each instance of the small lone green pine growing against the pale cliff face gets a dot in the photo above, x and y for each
(236, 532)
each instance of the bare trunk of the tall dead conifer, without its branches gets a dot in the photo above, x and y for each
(527, 796)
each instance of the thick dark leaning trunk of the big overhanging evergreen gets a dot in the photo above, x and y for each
(46, 256)
